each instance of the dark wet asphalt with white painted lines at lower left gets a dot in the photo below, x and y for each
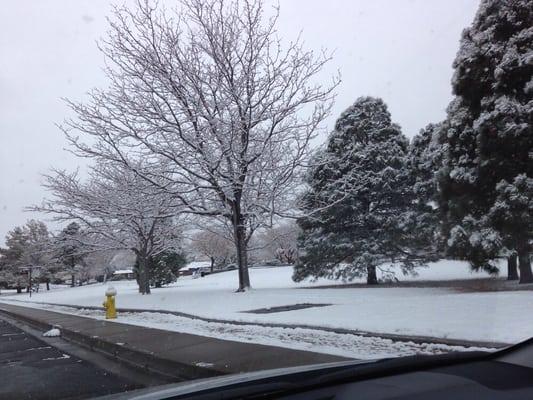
(33, 369)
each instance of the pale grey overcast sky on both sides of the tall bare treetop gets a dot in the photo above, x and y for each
(400, 50)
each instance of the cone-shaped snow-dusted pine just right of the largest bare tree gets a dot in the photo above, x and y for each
(359, 207)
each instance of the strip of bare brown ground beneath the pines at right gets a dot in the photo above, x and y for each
(460, 285)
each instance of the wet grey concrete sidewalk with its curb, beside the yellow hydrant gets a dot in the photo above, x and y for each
(175, 355)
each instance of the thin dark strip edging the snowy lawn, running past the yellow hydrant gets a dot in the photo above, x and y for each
(395, 337)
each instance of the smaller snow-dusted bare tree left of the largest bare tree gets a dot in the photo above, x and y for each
(118, 210)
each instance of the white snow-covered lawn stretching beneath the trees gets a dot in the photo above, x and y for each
(437, 312)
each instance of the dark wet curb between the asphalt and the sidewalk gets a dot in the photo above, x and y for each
(141, 360)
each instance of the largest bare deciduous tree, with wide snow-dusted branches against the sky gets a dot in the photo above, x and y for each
(210, 96)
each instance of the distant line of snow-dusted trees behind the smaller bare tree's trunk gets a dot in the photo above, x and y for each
(69, 257)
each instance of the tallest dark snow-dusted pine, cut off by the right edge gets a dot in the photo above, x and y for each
(488, 136)
